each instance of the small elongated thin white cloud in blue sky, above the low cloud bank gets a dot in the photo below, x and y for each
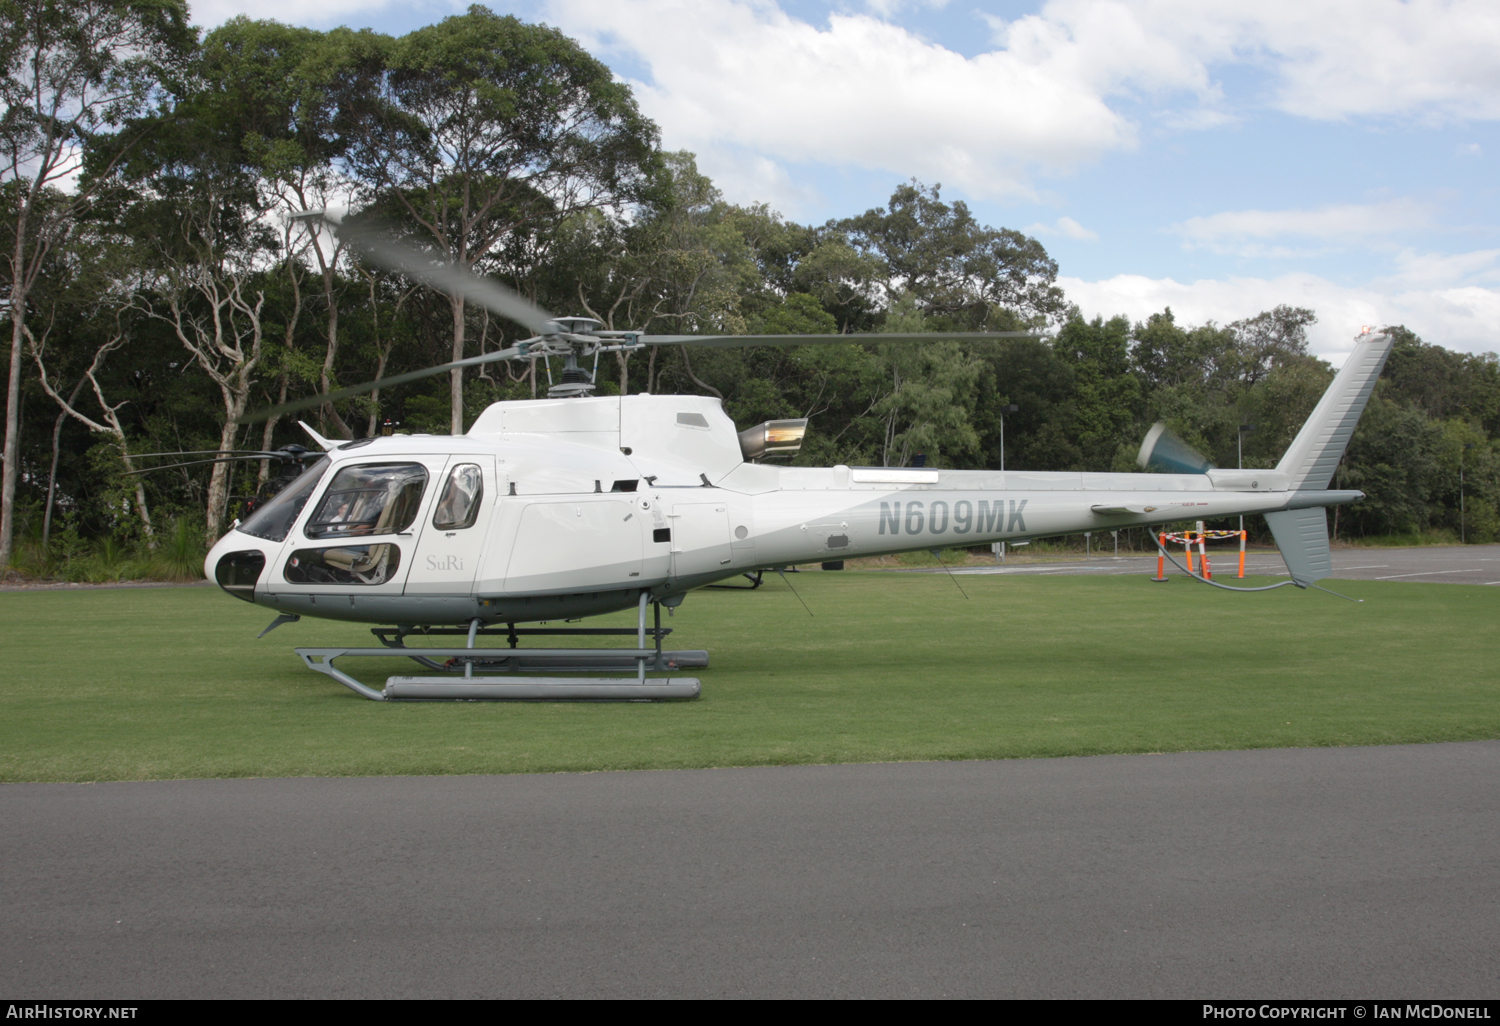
(1231, 232)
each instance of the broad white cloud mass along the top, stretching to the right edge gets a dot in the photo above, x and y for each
(871, 94)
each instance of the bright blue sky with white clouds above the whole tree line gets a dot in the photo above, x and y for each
(1214, 157)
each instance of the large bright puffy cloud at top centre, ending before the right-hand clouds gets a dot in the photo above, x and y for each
(860, 92)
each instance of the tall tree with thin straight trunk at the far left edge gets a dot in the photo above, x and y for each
(73, 74)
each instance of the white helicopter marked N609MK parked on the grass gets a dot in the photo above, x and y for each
(575, 506)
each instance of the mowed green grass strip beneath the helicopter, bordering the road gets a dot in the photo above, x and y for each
(172, 683)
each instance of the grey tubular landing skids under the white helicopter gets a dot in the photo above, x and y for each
(466, 665)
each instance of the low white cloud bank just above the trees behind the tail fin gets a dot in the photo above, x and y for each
(1465, 319)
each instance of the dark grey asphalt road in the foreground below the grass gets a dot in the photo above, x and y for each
(1288, 874)
